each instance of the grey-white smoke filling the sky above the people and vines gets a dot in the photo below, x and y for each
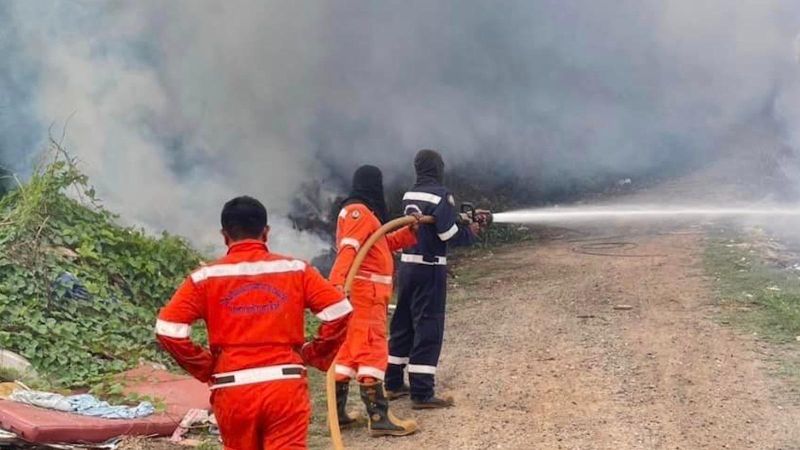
(177, 106)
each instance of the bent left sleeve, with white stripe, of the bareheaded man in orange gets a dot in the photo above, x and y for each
(174, 328)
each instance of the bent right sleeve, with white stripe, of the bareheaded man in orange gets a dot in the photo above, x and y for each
(330, 307)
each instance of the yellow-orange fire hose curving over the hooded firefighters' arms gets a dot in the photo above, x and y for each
(330, 378)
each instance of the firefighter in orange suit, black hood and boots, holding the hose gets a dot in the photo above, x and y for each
(365, 352)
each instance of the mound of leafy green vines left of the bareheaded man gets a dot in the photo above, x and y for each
(79, 329)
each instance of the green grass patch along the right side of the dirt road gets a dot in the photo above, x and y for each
(754, 295)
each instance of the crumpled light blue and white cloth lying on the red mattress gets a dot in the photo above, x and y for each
(83, 404)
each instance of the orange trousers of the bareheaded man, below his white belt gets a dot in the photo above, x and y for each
(268, 416)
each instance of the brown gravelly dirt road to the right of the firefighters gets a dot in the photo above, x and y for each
(537, 356)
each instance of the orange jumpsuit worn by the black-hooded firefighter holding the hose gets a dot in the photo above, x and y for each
(365, 351)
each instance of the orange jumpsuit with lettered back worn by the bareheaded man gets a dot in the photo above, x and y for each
(253, 302)
